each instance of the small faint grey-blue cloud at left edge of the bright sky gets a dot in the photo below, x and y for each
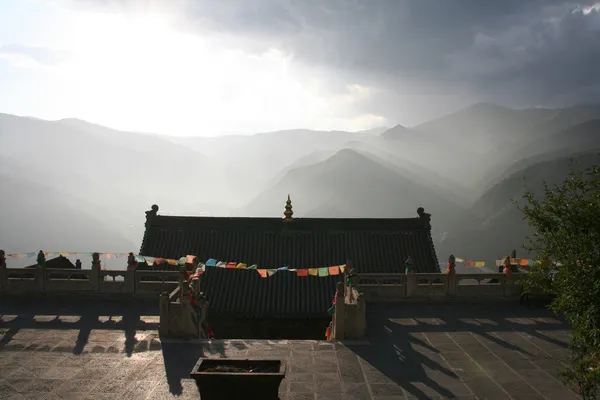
(32, 56)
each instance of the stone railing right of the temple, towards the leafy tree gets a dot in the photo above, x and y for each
(405, 287)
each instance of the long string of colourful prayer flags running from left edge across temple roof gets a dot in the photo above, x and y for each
(263, 272)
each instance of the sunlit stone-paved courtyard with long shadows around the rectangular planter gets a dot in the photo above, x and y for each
(95, 349)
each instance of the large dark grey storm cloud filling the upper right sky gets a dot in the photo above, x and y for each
(417, 55)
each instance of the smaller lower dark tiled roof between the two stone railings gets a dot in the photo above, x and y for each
(244, 294)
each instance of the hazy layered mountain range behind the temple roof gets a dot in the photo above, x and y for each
(68, 185)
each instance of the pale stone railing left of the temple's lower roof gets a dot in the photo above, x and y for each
(130, 282)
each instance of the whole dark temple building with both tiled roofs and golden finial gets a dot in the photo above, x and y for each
(285, 305)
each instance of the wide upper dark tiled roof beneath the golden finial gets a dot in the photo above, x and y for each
(372, 245)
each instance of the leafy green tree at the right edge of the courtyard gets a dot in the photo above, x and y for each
(566, 222)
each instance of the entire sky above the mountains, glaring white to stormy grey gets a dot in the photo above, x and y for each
(215, 67)
